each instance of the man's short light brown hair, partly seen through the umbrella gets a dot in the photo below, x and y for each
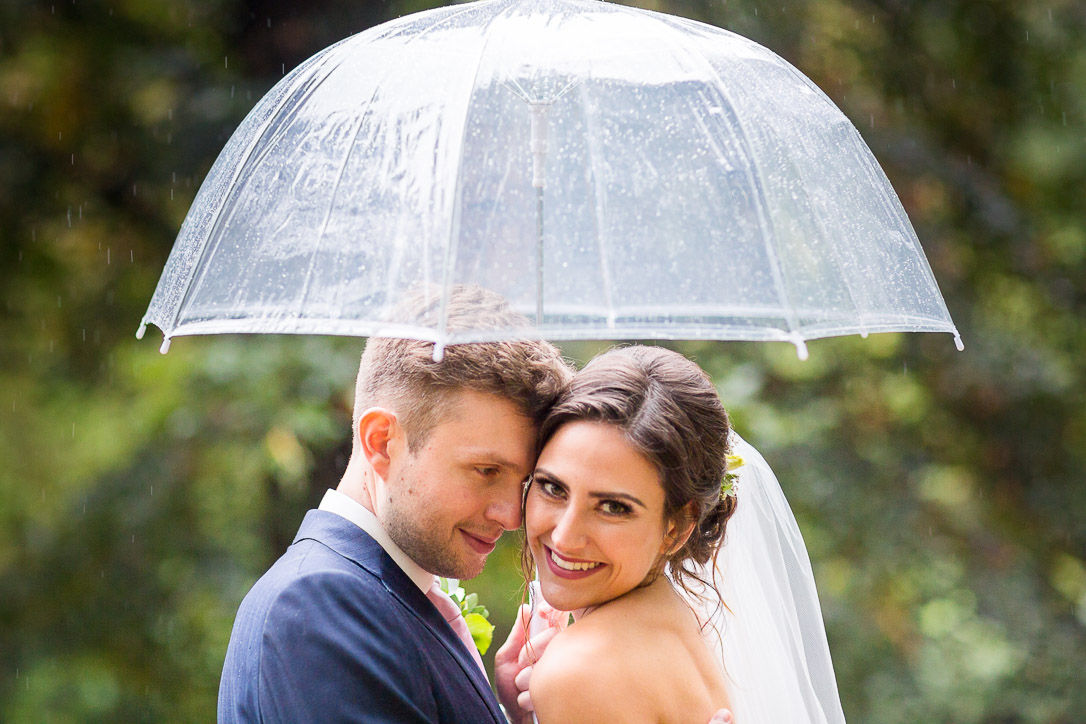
(401, 374)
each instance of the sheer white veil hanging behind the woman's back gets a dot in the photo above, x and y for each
(771, 638)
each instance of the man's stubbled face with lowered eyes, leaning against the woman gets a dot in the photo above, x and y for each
(450, 500)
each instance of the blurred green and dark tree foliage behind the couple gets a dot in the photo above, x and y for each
(940, 492)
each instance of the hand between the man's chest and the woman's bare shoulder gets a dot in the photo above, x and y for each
(513, 664)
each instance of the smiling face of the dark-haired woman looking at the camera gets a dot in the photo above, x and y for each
(595, 517)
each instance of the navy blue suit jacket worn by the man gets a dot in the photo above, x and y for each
(337, 632)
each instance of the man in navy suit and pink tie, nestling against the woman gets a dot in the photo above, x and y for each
(346, 626)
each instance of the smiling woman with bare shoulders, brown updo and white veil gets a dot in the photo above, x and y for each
(689, 582)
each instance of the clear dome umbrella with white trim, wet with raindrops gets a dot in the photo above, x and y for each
(615, 173)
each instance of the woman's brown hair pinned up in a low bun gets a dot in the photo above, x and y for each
(667, 408)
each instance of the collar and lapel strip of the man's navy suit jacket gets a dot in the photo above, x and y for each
(355, 544)
